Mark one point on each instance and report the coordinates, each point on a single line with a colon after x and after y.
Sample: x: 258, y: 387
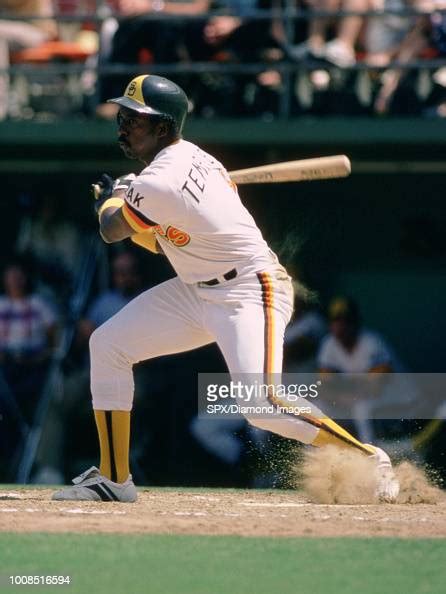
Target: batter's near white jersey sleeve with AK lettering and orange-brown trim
x: 150, y: 201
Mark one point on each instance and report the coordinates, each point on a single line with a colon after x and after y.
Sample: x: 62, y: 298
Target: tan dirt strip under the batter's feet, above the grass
x: 218, y: 512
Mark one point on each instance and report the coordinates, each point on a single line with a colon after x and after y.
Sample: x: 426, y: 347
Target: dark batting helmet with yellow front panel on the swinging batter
x: 155, y: 95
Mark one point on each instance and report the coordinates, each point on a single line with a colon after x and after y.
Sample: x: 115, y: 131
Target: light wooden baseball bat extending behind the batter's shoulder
x: 288, y: 171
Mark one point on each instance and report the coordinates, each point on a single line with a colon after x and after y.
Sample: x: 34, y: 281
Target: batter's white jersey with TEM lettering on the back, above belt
x: 200, y: 222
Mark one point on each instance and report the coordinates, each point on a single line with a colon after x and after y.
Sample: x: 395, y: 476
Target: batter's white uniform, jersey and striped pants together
x: 203, y: 228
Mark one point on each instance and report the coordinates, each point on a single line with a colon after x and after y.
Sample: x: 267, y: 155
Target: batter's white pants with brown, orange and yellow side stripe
x: 245, y: 316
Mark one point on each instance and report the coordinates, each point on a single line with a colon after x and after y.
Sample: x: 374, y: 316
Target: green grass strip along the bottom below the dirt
x: 153, y: 564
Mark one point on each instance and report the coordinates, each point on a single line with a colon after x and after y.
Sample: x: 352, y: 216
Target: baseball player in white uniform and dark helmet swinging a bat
x: 230, y: 287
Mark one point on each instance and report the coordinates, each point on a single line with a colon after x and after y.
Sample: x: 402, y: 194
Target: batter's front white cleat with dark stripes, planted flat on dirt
x: 92, y: 486
